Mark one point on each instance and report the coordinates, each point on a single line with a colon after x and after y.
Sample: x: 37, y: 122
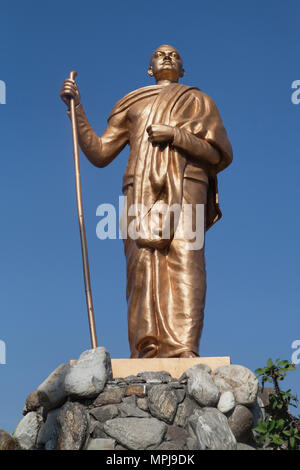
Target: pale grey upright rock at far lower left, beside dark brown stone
x: 27, y: 430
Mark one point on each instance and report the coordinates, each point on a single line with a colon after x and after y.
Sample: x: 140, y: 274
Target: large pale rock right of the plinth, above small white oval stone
x: 239, y: 380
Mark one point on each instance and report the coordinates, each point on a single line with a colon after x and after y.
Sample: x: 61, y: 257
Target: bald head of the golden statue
x: 166, y: 64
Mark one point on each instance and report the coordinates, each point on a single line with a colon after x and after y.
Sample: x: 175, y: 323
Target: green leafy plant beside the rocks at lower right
x: 279, y: 429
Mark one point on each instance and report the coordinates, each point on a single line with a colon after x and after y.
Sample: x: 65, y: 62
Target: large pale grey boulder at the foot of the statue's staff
x: 87, y: 378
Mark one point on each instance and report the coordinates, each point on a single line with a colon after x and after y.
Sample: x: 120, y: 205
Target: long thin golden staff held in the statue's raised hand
x: 85, y: 260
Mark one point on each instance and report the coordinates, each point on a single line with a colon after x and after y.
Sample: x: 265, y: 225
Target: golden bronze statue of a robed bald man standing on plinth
x: 178, y: 145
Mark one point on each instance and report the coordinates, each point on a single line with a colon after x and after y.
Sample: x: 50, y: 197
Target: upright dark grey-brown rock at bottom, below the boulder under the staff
x: 73, y: 426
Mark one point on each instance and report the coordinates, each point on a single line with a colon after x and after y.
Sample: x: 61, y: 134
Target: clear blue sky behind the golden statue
x: 243, y: 54
